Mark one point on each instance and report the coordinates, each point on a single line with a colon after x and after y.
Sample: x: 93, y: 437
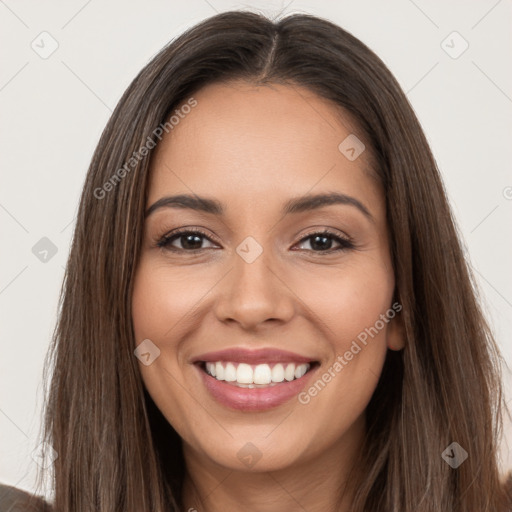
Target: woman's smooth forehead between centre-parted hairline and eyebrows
x: 243, y: 142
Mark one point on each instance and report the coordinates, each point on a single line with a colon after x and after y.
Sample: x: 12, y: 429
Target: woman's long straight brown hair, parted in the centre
x: 115, y: 449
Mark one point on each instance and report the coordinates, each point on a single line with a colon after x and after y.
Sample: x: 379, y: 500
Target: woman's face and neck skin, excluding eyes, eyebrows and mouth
x: 253, y: 148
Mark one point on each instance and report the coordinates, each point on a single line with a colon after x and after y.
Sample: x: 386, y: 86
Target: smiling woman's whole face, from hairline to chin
x: 262, y: 281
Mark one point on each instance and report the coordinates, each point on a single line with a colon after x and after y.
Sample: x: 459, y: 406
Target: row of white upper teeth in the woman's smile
x: 260, y: 374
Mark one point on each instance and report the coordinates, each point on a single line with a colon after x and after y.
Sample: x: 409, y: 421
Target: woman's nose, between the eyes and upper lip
x: 253, y: 293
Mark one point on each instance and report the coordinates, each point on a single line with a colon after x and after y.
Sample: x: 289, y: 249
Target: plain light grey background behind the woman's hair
x: 54, y: 109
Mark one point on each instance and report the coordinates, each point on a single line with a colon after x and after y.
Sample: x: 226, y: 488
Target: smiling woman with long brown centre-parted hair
x: 266, y: 304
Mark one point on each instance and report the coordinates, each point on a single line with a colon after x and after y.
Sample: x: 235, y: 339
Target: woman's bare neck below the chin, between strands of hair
x: 319, y: 483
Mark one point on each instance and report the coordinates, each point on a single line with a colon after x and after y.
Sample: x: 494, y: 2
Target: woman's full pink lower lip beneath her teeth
x: 255, y: 399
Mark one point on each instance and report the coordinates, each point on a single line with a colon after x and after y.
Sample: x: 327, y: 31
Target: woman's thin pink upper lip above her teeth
x: 259, y: 356
